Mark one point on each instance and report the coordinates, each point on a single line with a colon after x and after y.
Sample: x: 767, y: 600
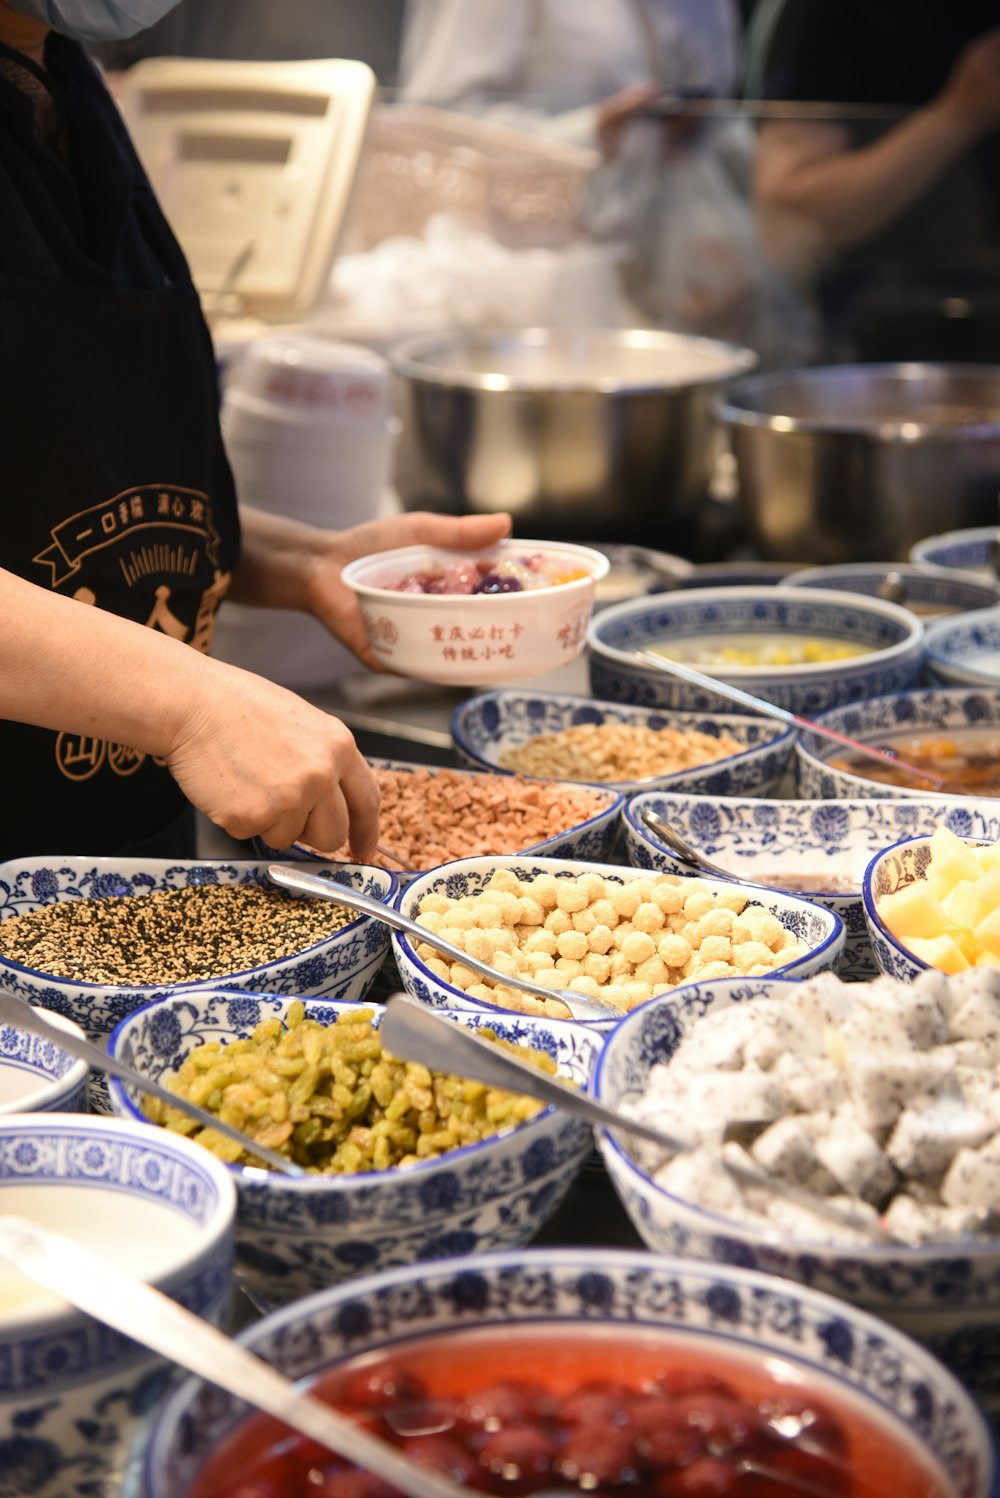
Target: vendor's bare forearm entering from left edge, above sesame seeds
x: 70, y: 666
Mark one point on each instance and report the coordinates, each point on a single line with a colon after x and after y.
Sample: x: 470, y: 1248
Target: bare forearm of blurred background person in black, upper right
x: 854, y: 194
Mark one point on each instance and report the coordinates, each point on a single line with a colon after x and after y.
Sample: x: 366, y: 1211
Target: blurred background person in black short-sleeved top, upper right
x: 897, y: 219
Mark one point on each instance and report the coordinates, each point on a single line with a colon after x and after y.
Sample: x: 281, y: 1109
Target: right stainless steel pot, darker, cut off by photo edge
x: 857, y: 462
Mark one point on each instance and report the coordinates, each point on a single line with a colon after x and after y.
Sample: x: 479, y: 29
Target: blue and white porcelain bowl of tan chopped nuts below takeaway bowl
x: 487, y: 726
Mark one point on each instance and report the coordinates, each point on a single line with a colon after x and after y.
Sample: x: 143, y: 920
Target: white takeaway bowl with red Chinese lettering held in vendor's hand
x: 480, y: 639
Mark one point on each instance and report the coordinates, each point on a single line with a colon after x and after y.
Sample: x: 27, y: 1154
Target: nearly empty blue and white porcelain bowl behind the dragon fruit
x: 755, y: 838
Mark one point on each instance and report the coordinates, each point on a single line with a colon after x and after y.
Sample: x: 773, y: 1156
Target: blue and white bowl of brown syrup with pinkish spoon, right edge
x: 909, y: 714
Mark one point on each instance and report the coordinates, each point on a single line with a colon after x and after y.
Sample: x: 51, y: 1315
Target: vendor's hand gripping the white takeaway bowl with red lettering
x: 336, y: 606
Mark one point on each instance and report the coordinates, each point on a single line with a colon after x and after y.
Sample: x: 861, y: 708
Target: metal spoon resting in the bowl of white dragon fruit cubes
x: 417, y: 1033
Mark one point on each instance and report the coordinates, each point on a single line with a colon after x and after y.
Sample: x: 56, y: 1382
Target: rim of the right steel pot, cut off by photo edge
x: 740, y: 405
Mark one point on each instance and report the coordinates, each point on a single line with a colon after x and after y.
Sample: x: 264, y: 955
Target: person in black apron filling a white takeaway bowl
x: 119, y: 501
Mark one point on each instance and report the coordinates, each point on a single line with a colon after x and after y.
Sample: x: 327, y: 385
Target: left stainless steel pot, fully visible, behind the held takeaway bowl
x: 586, y: 435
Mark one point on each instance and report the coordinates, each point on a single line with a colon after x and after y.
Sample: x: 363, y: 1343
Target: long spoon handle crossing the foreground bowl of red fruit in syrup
x: 103, y: 1291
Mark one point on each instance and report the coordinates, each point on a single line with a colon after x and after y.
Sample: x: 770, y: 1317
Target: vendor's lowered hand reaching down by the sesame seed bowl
x: 261, y: 762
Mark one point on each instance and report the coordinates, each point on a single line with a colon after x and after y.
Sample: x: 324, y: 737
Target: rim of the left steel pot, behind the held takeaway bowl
x: 414, y: 360
